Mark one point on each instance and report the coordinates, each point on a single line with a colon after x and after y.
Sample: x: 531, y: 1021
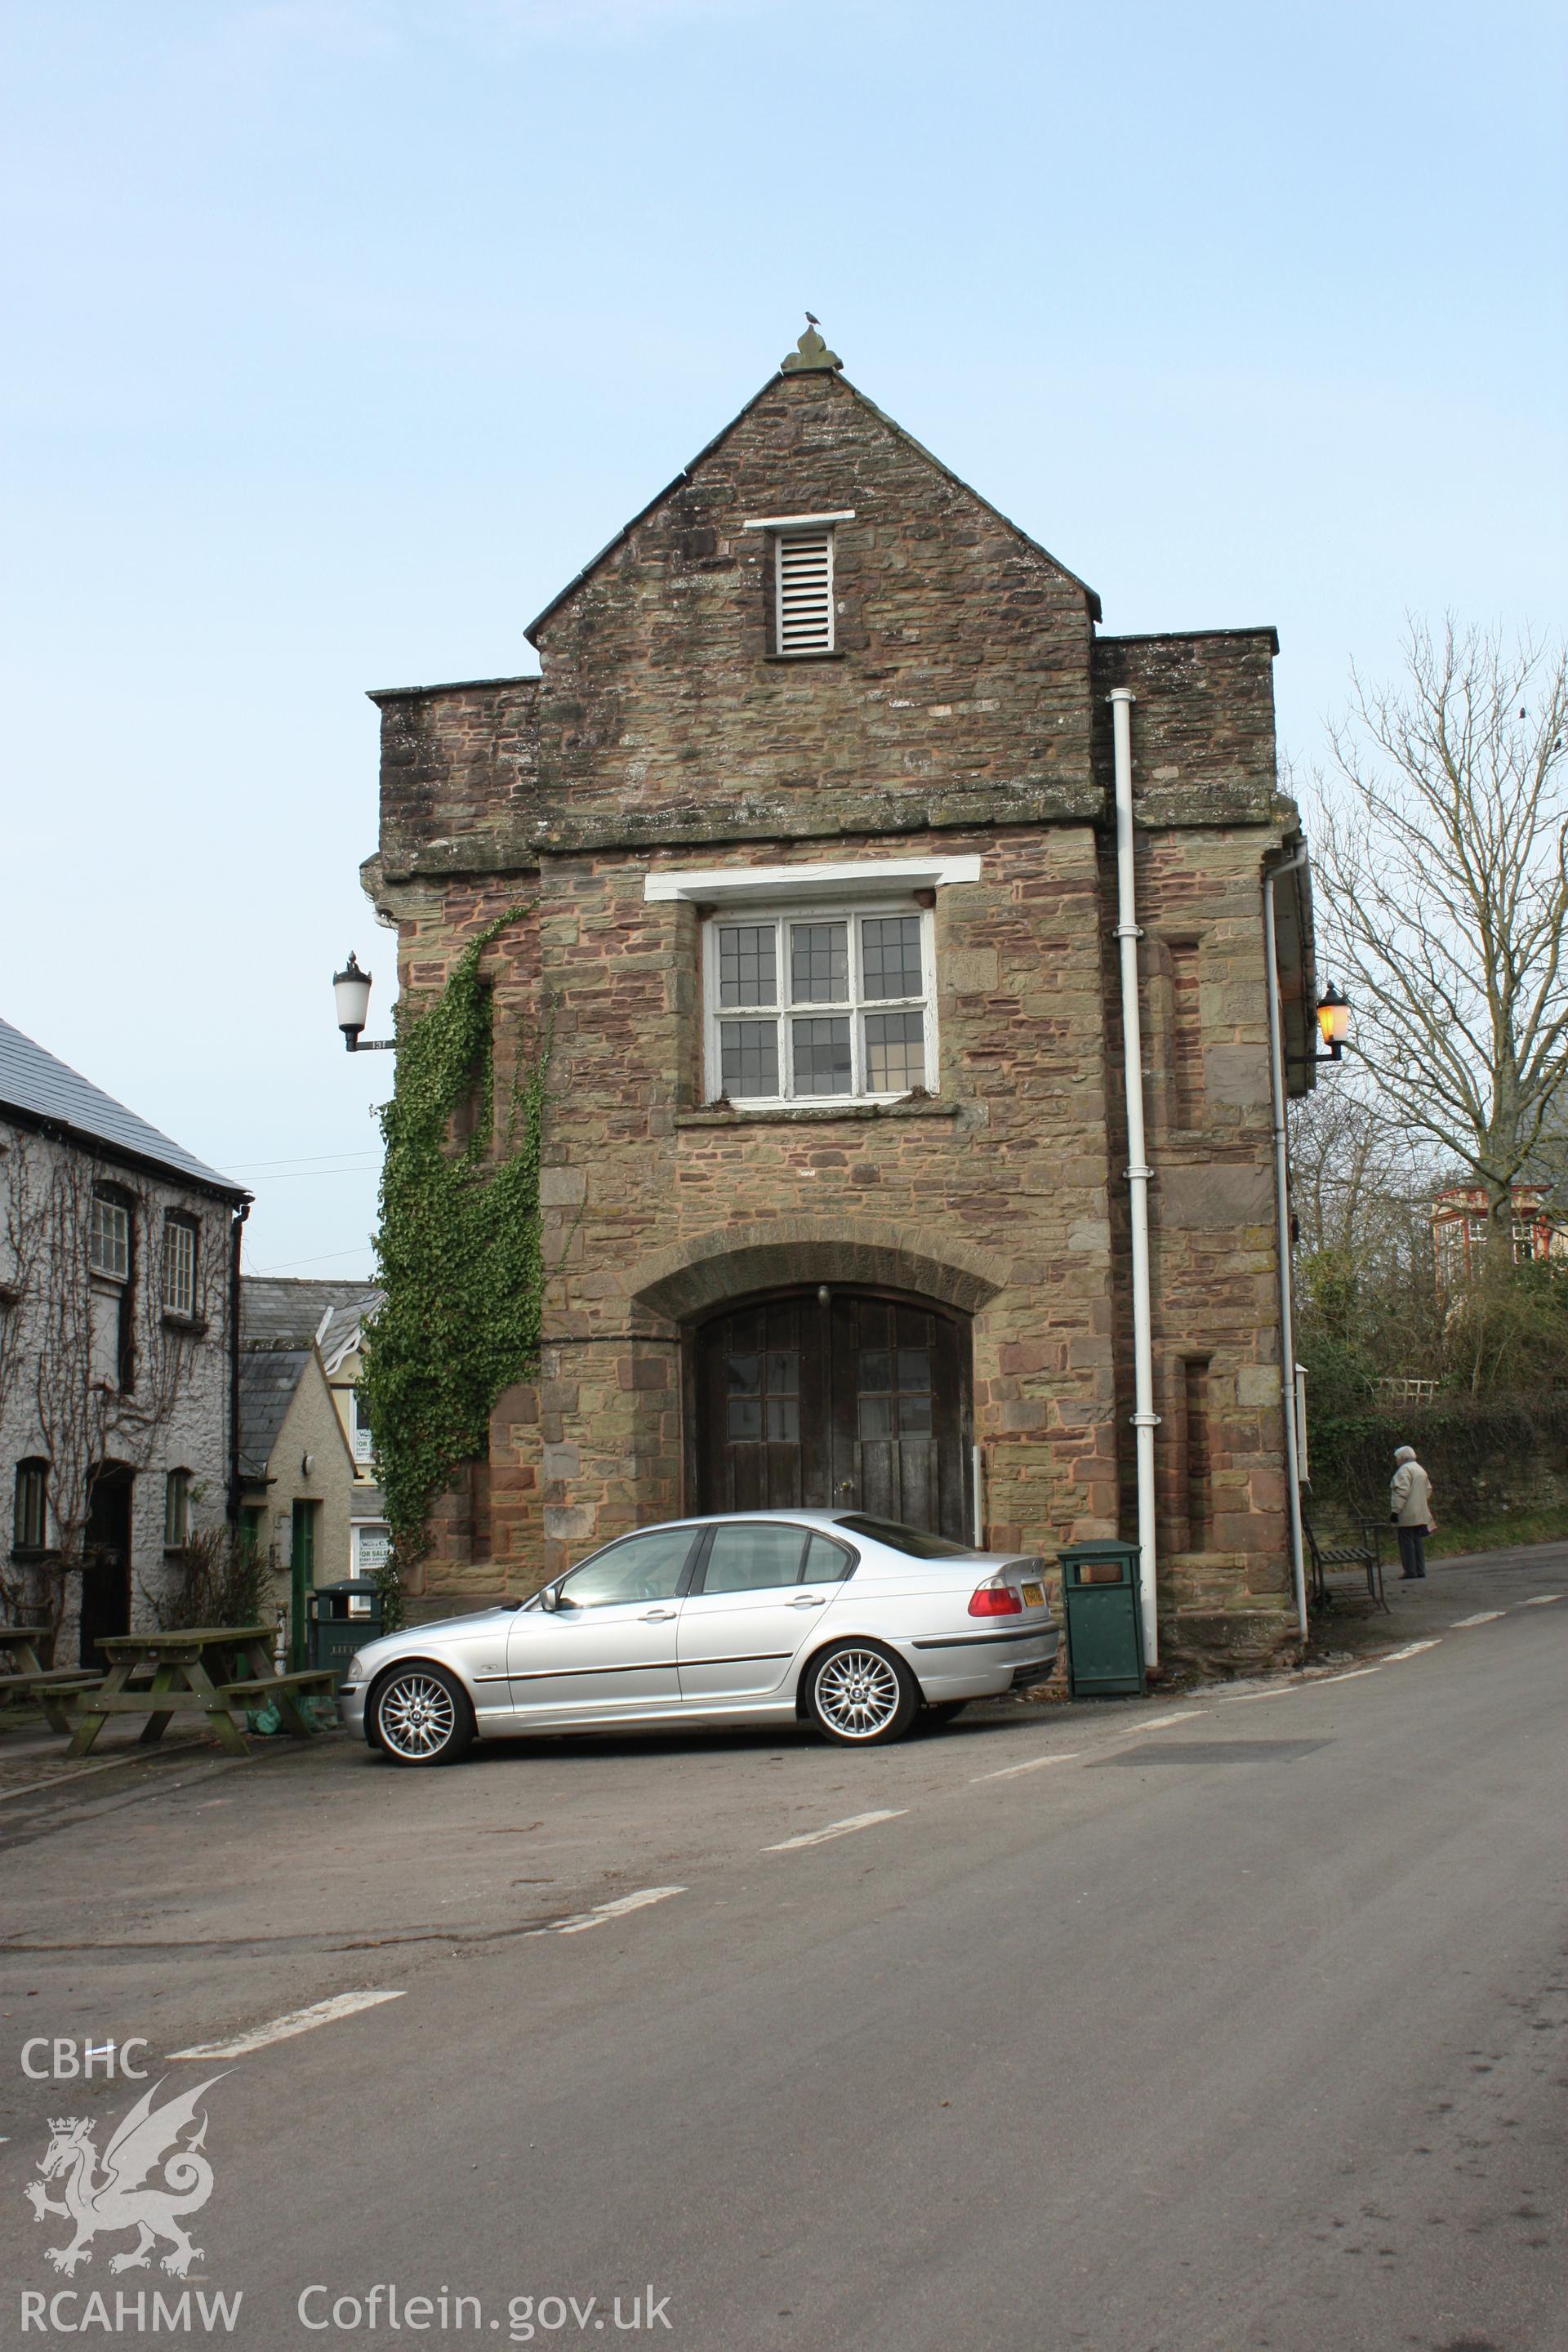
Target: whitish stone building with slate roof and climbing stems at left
x: 119, y: 1351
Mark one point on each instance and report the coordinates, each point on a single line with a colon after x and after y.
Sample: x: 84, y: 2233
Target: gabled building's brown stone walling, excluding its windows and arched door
x: 963, y: 709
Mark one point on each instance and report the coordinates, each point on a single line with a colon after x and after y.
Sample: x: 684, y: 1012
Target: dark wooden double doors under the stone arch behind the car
x: 852, y: 1403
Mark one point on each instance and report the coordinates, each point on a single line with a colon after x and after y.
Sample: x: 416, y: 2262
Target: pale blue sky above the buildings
x: 340, y: 333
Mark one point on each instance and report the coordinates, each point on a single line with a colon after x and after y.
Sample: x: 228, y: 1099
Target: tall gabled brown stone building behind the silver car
x: 808, y: 822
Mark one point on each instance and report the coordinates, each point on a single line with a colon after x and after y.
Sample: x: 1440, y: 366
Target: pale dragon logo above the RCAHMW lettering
x: 126, y: 2193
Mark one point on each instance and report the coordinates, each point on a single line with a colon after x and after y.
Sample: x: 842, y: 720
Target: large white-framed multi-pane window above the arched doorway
x: 822, y: 1003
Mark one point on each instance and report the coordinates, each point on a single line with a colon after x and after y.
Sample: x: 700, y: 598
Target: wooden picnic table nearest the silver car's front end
x: 201, y: 1671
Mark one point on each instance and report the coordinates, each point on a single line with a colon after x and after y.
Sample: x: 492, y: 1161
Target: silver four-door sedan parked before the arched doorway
x: 826, y: 1617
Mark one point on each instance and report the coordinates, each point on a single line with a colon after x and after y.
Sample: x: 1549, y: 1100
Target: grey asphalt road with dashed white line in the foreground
x: 1111, y: 2033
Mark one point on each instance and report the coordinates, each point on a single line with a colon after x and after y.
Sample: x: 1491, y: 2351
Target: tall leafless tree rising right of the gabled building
x: 1445, y: 895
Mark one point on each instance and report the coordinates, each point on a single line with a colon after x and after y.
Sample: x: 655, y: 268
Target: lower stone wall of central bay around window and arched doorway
x: 1005, y: 1168
